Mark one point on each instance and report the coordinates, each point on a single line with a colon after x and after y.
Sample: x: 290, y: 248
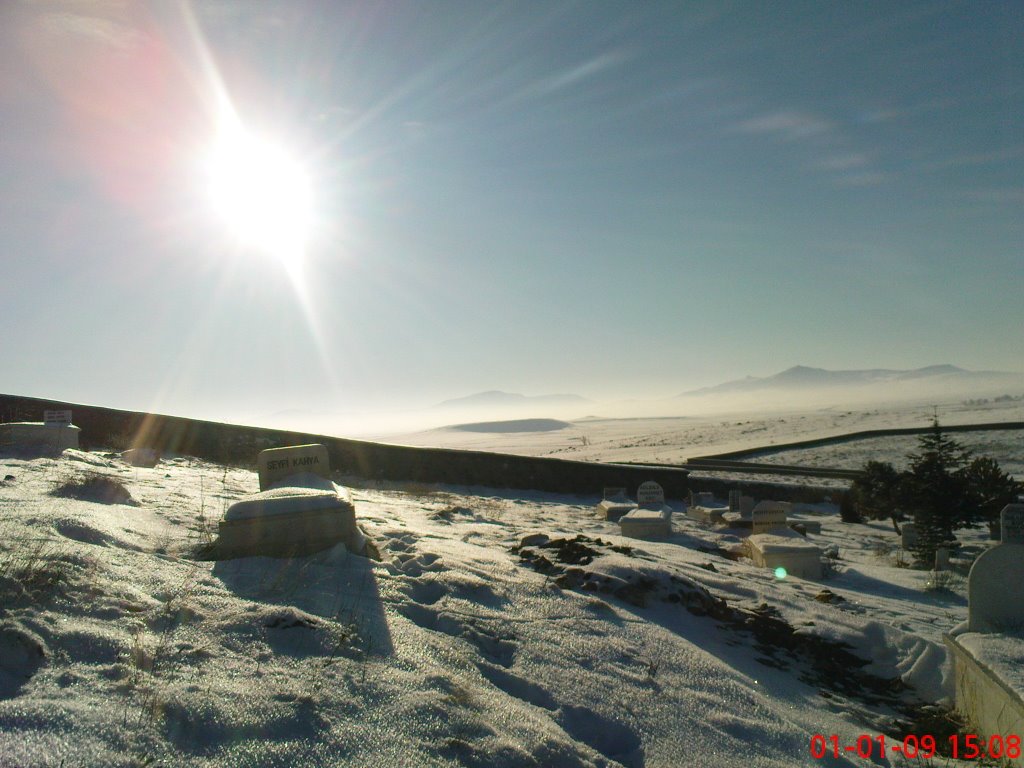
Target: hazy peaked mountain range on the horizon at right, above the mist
x: 802, y: 377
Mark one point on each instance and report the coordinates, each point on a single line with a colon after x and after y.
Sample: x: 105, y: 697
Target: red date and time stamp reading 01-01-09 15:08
x: 959, y: 747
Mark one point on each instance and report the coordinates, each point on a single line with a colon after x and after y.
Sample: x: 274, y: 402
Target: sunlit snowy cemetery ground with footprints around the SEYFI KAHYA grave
x: 479, y: 639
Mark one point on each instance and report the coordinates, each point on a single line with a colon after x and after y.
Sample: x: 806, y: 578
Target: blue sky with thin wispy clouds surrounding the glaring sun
x: 608, y: 199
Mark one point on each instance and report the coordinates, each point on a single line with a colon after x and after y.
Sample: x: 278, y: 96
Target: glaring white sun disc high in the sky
x: 262, y: 193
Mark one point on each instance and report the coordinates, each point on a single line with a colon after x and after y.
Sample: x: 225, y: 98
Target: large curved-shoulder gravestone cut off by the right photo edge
x: 996, y: 585
